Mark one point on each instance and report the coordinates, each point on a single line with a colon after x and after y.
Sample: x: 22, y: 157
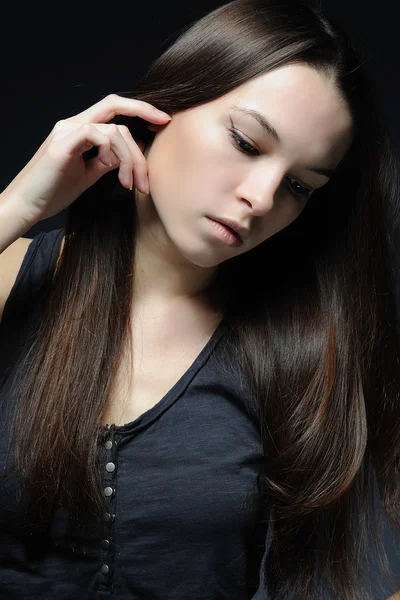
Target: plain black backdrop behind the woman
x: 58, y: 60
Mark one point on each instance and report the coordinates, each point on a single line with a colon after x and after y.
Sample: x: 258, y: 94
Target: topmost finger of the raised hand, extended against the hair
x: 112, y: 105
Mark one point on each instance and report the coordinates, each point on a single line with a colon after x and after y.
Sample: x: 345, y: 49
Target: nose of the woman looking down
x: 260, y: 191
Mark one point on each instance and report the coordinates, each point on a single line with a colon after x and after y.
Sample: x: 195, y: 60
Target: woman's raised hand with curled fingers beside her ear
x: 58, y: 174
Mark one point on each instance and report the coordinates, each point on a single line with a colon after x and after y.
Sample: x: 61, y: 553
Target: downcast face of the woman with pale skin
x: 217, y: 161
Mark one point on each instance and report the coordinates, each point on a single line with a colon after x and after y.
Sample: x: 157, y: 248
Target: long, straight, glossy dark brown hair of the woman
x: 313, y: 321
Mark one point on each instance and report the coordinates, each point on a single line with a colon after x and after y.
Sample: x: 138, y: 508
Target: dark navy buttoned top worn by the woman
x: 183, y: 519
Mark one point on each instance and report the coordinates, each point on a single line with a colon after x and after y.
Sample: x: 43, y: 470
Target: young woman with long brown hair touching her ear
x: 206, y: 410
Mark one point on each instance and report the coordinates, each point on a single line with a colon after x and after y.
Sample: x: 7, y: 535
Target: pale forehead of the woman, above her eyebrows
x: 303, y: 105
